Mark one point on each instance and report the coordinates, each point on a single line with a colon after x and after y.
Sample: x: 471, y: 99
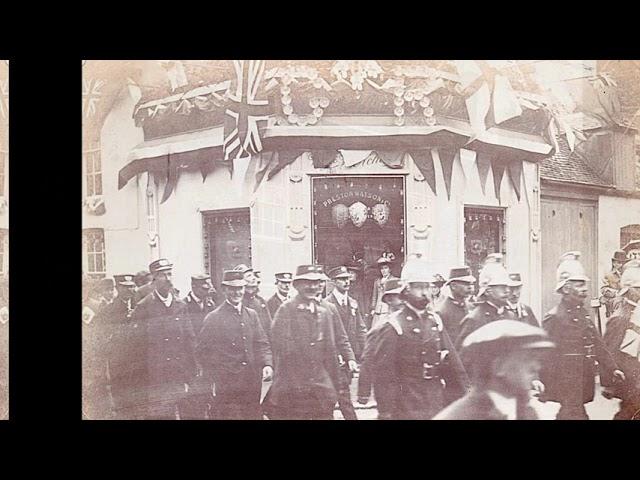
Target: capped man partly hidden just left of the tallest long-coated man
x: 123, y: 339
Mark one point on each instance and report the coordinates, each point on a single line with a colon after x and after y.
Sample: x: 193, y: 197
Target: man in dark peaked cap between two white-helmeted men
x: 455, y: 306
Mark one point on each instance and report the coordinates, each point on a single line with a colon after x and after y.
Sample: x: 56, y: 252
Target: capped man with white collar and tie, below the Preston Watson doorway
x: 353, y: 324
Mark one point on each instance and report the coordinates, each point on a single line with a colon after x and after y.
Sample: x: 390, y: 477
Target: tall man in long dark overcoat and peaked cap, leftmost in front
x: 166, y: 365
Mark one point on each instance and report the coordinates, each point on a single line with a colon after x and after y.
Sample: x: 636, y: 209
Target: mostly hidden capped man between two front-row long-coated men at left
x: 199, y: 302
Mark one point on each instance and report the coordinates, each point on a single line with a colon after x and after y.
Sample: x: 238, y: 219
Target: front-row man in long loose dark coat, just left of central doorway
x: 306, y: 378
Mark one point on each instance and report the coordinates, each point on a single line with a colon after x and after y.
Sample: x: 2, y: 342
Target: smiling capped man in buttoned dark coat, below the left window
x: 235, y: 354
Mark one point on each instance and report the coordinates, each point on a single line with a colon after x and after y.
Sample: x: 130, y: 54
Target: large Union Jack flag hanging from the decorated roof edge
x: 244, y: 111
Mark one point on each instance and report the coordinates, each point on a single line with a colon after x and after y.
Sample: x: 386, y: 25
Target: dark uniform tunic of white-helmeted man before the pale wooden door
x: 569, y: 372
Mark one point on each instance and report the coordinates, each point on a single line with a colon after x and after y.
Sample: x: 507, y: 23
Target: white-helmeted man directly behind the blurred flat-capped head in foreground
x: 492, y: 301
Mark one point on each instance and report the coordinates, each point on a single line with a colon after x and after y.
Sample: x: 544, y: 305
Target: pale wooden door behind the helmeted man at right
x: 567, y: 225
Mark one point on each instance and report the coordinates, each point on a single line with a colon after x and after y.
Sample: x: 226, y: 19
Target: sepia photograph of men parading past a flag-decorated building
x: 356, y: 240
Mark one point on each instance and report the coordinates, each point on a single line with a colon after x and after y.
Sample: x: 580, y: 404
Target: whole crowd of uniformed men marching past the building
x: 429, y: 347
